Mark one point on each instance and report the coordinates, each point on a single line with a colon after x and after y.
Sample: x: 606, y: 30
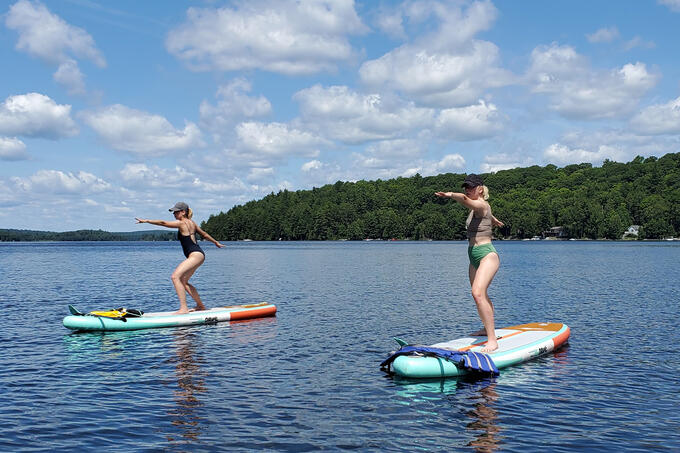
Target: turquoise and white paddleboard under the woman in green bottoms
x: 516, y: 344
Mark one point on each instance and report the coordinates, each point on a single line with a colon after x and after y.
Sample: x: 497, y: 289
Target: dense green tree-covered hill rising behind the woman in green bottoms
x: 586, y: 201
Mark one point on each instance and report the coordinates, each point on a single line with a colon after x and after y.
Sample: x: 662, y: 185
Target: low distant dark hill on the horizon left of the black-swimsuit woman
x: 8, y: 235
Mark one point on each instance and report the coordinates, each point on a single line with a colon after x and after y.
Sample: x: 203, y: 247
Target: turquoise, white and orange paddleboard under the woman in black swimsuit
x: 89, y: 322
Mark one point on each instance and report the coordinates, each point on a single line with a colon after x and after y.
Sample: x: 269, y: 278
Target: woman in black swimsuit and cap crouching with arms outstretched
x: 186, y: 230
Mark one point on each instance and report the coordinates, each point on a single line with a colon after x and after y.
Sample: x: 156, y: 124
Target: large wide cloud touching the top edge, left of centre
x: 292, y: 37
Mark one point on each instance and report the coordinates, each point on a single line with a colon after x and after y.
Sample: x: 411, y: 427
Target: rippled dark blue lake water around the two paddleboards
x: 309, y: 379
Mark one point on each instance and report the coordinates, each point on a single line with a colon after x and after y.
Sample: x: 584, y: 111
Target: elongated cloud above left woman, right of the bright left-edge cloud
x: 140, y: 132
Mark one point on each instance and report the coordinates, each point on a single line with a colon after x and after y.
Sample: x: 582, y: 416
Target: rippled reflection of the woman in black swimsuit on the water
x: 190, y: 382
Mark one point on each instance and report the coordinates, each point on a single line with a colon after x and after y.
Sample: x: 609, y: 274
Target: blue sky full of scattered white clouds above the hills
x: 116, y: 110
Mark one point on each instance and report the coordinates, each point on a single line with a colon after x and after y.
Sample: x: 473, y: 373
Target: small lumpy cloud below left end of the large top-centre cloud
x: 233, y: 104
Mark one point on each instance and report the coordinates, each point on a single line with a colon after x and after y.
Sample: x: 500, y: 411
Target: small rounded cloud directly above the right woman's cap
x: 469, y: 123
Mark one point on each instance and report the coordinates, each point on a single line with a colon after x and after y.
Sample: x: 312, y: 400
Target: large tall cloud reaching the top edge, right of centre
x: 447, y: 67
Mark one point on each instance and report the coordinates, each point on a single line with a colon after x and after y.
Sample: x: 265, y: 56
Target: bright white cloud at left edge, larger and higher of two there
x: 36, y: 115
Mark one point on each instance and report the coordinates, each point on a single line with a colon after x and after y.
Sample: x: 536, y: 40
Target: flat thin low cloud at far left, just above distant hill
x: 56, y: 182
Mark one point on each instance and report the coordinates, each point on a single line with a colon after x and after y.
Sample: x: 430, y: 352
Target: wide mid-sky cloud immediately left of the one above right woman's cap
x: 350, y: 117
